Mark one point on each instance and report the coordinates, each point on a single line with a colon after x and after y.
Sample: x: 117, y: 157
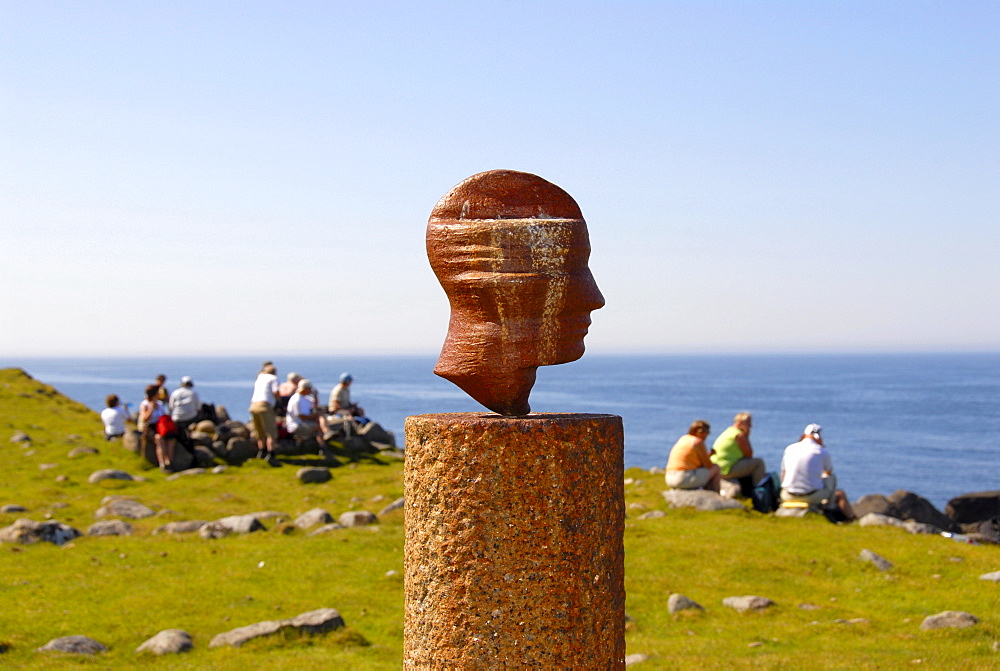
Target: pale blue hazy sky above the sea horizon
x: 245, y: 178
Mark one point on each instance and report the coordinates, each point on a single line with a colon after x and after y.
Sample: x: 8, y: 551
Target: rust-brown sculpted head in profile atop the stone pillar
x: 510, y: 250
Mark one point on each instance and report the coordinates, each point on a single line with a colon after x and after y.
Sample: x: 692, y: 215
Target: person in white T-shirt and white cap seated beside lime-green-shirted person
x: 807, y: 475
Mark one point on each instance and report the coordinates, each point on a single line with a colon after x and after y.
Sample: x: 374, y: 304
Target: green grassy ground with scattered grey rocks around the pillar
x: 832, y: 610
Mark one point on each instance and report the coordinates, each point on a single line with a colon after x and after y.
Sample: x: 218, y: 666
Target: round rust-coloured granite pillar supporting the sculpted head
x: 514, y: 555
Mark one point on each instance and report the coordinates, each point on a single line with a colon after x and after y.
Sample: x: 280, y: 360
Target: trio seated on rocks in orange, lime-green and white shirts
x: 806, y: 469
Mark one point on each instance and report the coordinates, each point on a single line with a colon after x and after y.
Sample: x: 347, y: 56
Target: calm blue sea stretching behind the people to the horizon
x: 925, y: 423
